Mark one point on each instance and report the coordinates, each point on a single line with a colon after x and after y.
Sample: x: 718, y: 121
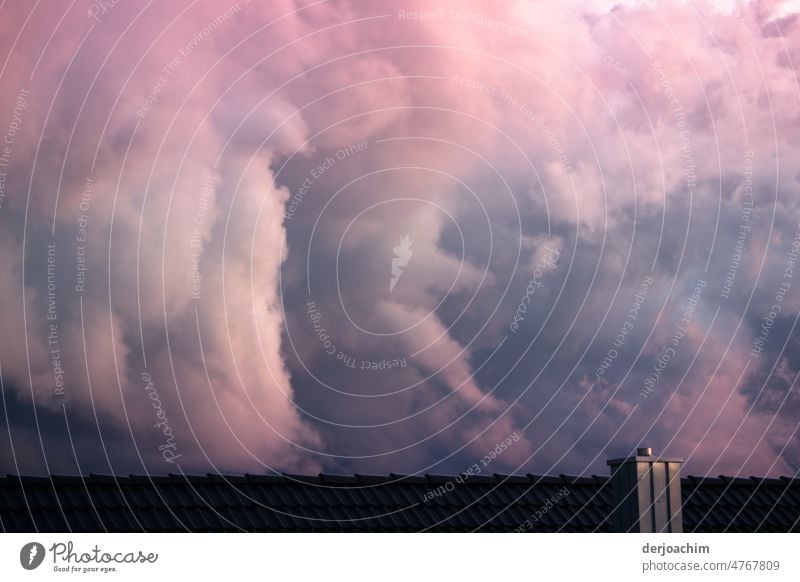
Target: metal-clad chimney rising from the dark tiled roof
x: 646, y: 493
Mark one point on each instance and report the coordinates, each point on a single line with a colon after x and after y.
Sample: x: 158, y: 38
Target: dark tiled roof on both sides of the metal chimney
x: 364, y: 503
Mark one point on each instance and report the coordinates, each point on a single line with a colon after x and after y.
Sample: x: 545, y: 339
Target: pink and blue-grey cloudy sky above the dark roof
x: 399, y: 237
